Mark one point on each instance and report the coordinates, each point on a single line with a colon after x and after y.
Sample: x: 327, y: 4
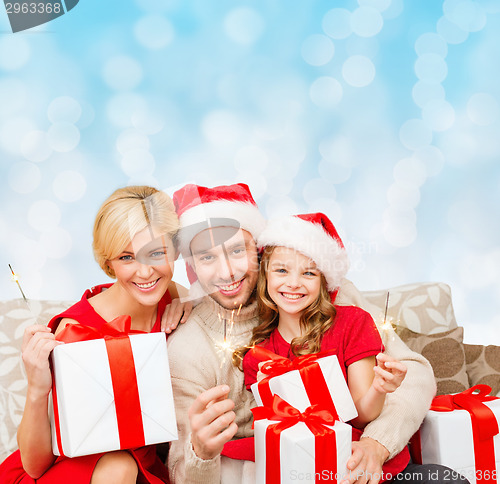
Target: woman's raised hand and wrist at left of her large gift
x: 38, y: 342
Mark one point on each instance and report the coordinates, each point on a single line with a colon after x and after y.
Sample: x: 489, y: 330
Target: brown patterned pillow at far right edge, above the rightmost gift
x: 483, y: 366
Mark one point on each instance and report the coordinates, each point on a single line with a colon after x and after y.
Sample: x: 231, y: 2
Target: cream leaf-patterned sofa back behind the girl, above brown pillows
x: 424, y: 307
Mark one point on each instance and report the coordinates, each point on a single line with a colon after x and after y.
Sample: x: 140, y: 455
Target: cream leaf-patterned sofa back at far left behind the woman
x: 14, y: 318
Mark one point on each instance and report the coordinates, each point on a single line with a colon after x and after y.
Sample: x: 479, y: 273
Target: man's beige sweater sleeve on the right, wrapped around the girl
x: 404, y: 409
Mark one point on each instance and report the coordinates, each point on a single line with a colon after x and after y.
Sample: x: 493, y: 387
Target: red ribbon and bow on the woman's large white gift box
x: 123, y: 377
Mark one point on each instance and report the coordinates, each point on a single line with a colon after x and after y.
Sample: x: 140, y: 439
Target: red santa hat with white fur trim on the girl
x: 315, y: 236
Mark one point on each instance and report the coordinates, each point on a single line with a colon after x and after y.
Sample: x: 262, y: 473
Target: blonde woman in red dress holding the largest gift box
x: 133, y: 235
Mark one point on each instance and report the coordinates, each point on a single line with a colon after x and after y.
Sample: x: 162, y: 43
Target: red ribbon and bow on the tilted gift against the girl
x: 309, y: 370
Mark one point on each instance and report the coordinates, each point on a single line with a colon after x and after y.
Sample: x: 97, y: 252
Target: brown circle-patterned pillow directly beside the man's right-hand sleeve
x: 446, y: 355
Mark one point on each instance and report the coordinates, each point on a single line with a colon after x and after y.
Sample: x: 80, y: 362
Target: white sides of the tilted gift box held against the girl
x: 290, y: 387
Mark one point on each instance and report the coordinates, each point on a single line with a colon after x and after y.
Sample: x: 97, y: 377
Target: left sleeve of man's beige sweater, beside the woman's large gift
x: 188, y: 381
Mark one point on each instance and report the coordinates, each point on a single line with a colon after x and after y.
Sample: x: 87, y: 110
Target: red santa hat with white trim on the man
x: 200, y: 208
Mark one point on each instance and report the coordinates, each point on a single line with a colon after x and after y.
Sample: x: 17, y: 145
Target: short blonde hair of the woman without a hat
x: 125, y: 213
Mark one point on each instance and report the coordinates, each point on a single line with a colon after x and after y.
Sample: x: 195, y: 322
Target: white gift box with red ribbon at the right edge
x: 461, y: 431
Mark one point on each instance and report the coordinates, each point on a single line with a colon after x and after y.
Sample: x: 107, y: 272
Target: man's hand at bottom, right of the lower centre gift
x: 365, y: 463
